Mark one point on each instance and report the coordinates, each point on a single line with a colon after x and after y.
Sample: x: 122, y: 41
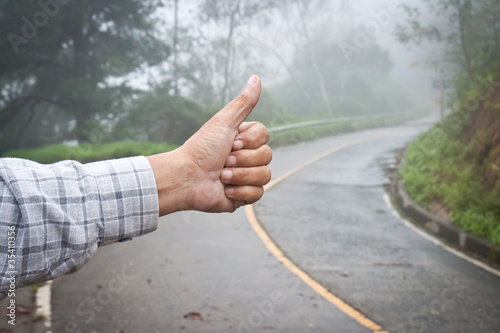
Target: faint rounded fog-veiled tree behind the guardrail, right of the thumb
x: 349, y: 90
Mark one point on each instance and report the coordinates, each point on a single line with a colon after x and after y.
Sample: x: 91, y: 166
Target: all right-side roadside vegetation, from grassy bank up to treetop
x: 456, y: 165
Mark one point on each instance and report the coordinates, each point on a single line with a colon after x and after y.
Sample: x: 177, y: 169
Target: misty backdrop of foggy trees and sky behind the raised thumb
x: 155, y: 71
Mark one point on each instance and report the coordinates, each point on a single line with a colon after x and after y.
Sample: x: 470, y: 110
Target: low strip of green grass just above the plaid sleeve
x: 89, y: 153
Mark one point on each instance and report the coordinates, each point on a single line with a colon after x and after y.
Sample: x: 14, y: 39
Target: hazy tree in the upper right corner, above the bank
x: 470, y: 35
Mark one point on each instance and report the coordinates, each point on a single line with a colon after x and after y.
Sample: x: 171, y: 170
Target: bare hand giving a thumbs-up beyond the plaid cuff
x: 222, y: 166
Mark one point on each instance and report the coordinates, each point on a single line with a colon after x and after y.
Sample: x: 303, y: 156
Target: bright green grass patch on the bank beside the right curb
x: 438, y: 168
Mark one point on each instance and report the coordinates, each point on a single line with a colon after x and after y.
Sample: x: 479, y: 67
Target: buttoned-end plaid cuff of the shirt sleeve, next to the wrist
x: 128, y: 196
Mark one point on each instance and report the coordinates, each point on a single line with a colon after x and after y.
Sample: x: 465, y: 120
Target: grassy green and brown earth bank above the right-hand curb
x: 456, y: 169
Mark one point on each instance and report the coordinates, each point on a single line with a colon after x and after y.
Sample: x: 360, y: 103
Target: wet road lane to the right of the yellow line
x: 331, y: 219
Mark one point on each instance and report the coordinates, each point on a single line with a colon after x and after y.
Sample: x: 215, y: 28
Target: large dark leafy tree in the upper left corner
x: 66, y: 61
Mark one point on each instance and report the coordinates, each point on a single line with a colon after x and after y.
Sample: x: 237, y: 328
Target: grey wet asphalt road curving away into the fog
x: 211, y: 273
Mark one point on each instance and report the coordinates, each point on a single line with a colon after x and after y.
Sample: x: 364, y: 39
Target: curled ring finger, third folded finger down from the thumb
x: 256, y: 176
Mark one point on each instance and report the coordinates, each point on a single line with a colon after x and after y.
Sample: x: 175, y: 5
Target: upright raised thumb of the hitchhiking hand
x: 234, y: 113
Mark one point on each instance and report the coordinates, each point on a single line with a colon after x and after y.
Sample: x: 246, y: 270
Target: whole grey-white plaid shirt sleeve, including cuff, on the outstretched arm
x: 59, y: 214
